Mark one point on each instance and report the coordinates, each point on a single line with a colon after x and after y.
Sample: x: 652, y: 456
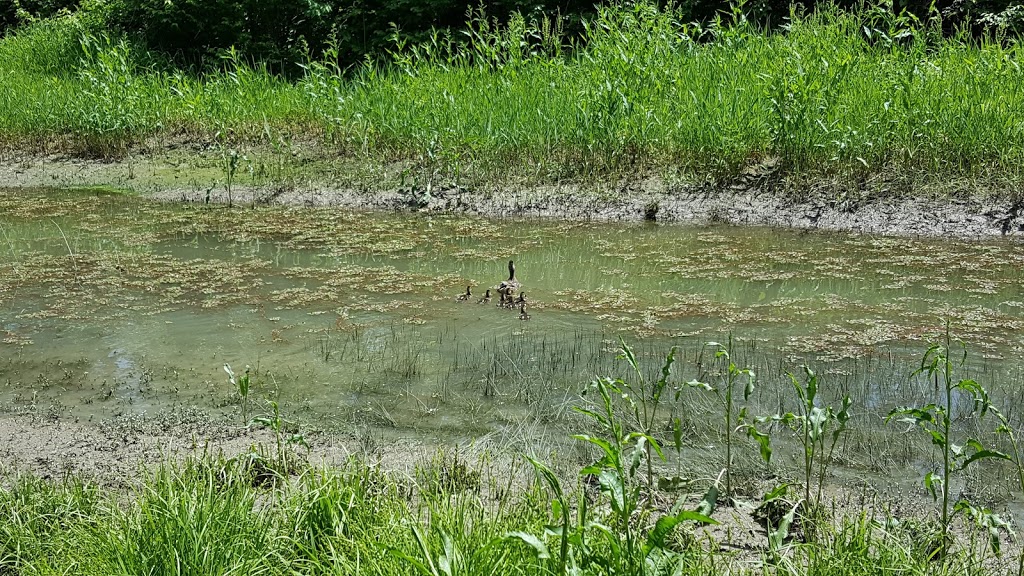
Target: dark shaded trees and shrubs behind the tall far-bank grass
x: 284, y: 34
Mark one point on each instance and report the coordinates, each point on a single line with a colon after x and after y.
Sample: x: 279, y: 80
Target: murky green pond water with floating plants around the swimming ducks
x: 111, y: 305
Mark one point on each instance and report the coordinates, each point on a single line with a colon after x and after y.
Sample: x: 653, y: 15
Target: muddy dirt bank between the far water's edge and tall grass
x: 759, y: 197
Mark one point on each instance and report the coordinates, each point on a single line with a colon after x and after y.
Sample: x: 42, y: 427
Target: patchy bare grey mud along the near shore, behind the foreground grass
x: 116, y: 456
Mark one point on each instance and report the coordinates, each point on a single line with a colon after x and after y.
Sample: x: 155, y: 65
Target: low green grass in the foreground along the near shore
x: 207, y: 517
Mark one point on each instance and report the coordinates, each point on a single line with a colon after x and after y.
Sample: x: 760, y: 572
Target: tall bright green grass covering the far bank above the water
x: 855, y: 97
